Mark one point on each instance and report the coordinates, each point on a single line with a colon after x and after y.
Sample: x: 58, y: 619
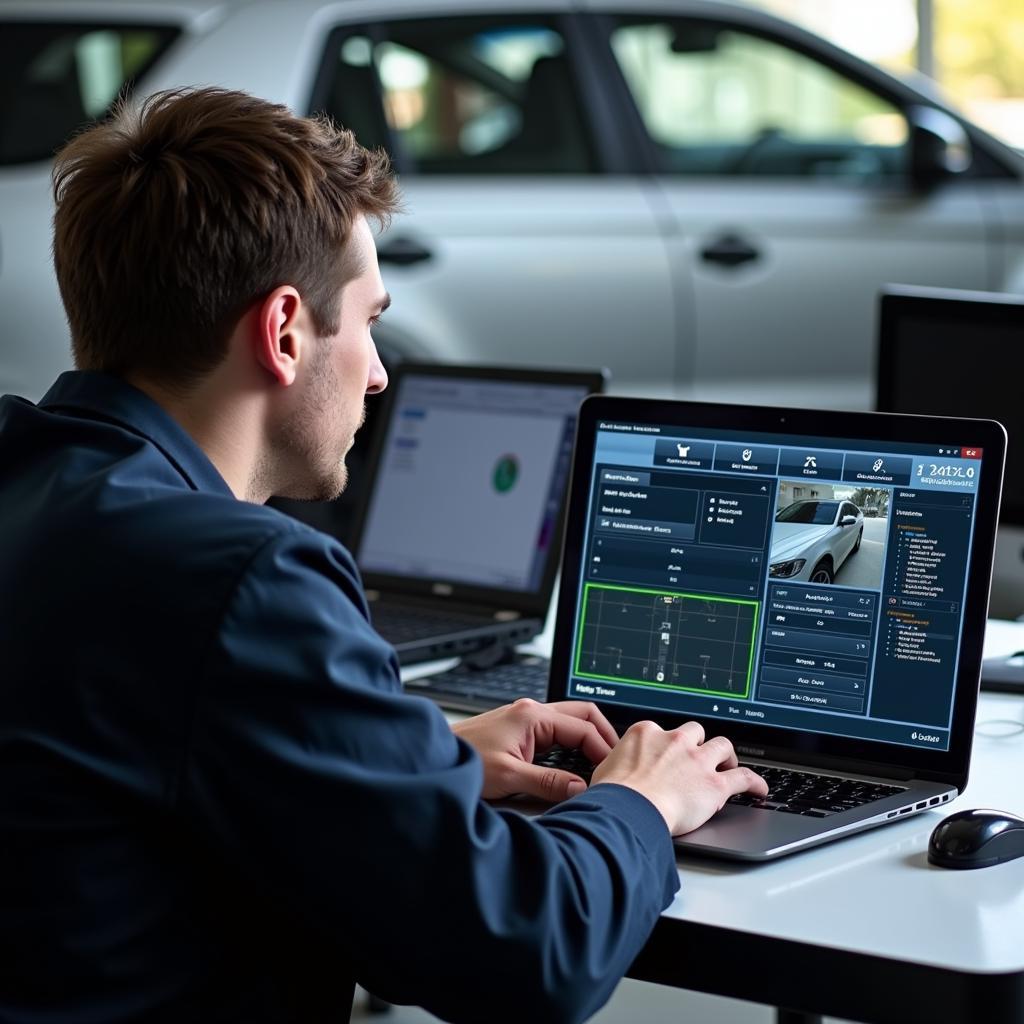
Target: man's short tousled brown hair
x: 174, y: 219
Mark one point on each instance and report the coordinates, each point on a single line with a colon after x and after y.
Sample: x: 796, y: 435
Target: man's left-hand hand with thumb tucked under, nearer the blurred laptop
x: 508, y: 738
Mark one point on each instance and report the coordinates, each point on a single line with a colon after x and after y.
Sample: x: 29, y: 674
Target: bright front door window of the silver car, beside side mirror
x: 720, y: 102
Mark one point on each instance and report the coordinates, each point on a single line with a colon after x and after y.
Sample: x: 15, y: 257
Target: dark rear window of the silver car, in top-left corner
x: 56, y: 77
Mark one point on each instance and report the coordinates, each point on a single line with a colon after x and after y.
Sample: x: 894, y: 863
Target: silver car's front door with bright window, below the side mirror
x: 789, y: 184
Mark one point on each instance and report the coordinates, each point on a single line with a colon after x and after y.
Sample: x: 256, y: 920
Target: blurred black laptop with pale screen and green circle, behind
x: 459, y: 536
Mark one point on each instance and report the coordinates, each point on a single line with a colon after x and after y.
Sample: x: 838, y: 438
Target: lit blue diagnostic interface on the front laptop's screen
x: 759, y: 579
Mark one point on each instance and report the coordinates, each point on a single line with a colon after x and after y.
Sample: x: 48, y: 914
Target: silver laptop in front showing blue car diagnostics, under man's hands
x: 813, y: 585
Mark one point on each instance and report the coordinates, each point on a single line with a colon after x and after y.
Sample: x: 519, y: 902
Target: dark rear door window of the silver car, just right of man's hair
x: 462, y: 97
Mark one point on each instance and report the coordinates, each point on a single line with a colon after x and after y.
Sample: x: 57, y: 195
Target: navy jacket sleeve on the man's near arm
x: 356, y: 807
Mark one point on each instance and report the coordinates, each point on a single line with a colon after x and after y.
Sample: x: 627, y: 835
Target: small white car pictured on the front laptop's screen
x: 813, y: 538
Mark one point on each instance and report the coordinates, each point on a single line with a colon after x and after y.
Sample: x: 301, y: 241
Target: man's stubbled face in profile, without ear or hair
x: 343, y: 368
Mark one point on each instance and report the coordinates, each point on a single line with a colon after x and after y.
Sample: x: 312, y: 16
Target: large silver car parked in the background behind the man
x: 695, y: 195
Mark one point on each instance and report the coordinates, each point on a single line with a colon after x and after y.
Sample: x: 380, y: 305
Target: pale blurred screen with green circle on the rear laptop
x: 472, y: 479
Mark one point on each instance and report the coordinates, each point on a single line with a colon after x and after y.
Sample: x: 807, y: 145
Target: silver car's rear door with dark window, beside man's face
x: 523, y: 239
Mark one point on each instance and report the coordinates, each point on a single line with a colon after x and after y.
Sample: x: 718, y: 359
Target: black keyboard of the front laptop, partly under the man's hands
x: 789, y: 791
